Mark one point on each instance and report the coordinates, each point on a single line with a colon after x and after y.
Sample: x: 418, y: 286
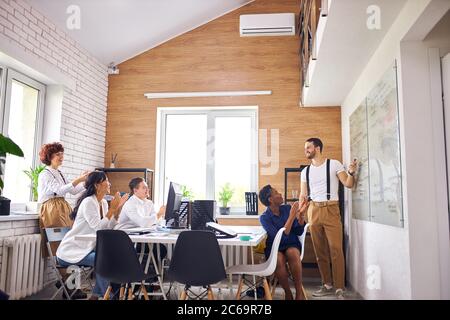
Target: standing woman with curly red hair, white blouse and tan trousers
x: 53, y: 187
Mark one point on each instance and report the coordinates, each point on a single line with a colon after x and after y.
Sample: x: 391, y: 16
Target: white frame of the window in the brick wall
x: 6, y: 78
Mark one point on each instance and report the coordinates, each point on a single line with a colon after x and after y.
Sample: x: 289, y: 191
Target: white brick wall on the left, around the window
x: 79, y: 89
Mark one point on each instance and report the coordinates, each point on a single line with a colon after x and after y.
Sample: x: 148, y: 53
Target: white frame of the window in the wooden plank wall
x: 211, y: 113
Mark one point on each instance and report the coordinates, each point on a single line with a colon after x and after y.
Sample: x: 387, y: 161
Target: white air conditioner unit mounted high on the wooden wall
x: 272, y: 24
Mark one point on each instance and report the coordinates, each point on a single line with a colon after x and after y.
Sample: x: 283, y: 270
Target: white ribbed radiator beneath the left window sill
x: 22, y: 269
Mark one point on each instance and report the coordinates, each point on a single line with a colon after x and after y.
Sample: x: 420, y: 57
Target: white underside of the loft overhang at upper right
x: 346, y: 47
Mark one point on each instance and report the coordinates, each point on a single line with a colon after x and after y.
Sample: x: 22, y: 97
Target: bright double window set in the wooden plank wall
x: 206, y: 148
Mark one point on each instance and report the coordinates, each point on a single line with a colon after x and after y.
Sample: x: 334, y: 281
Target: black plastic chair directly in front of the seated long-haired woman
x: 116, y: 260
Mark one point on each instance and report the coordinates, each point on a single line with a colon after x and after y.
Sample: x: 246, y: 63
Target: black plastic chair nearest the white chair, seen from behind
x: 197, y: 261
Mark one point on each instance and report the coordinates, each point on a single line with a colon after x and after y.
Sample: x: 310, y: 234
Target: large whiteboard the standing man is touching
x: 375, y: 141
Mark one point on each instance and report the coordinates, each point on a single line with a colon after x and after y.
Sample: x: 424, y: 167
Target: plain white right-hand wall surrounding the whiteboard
x: 408, y: 258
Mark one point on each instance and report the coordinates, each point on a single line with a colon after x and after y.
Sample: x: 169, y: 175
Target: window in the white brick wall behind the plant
x: 21, y: 120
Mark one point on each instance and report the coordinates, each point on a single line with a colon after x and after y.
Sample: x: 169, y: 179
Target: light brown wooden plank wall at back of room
x: 214, y: 57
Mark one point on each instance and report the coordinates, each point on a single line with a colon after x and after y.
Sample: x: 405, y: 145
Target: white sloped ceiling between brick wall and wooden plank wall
x: 117, y: 30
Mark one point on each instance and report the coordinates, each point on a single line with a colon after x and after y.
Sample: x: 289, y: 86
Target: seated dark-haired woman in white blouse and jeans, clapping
x: 90, y: 214
